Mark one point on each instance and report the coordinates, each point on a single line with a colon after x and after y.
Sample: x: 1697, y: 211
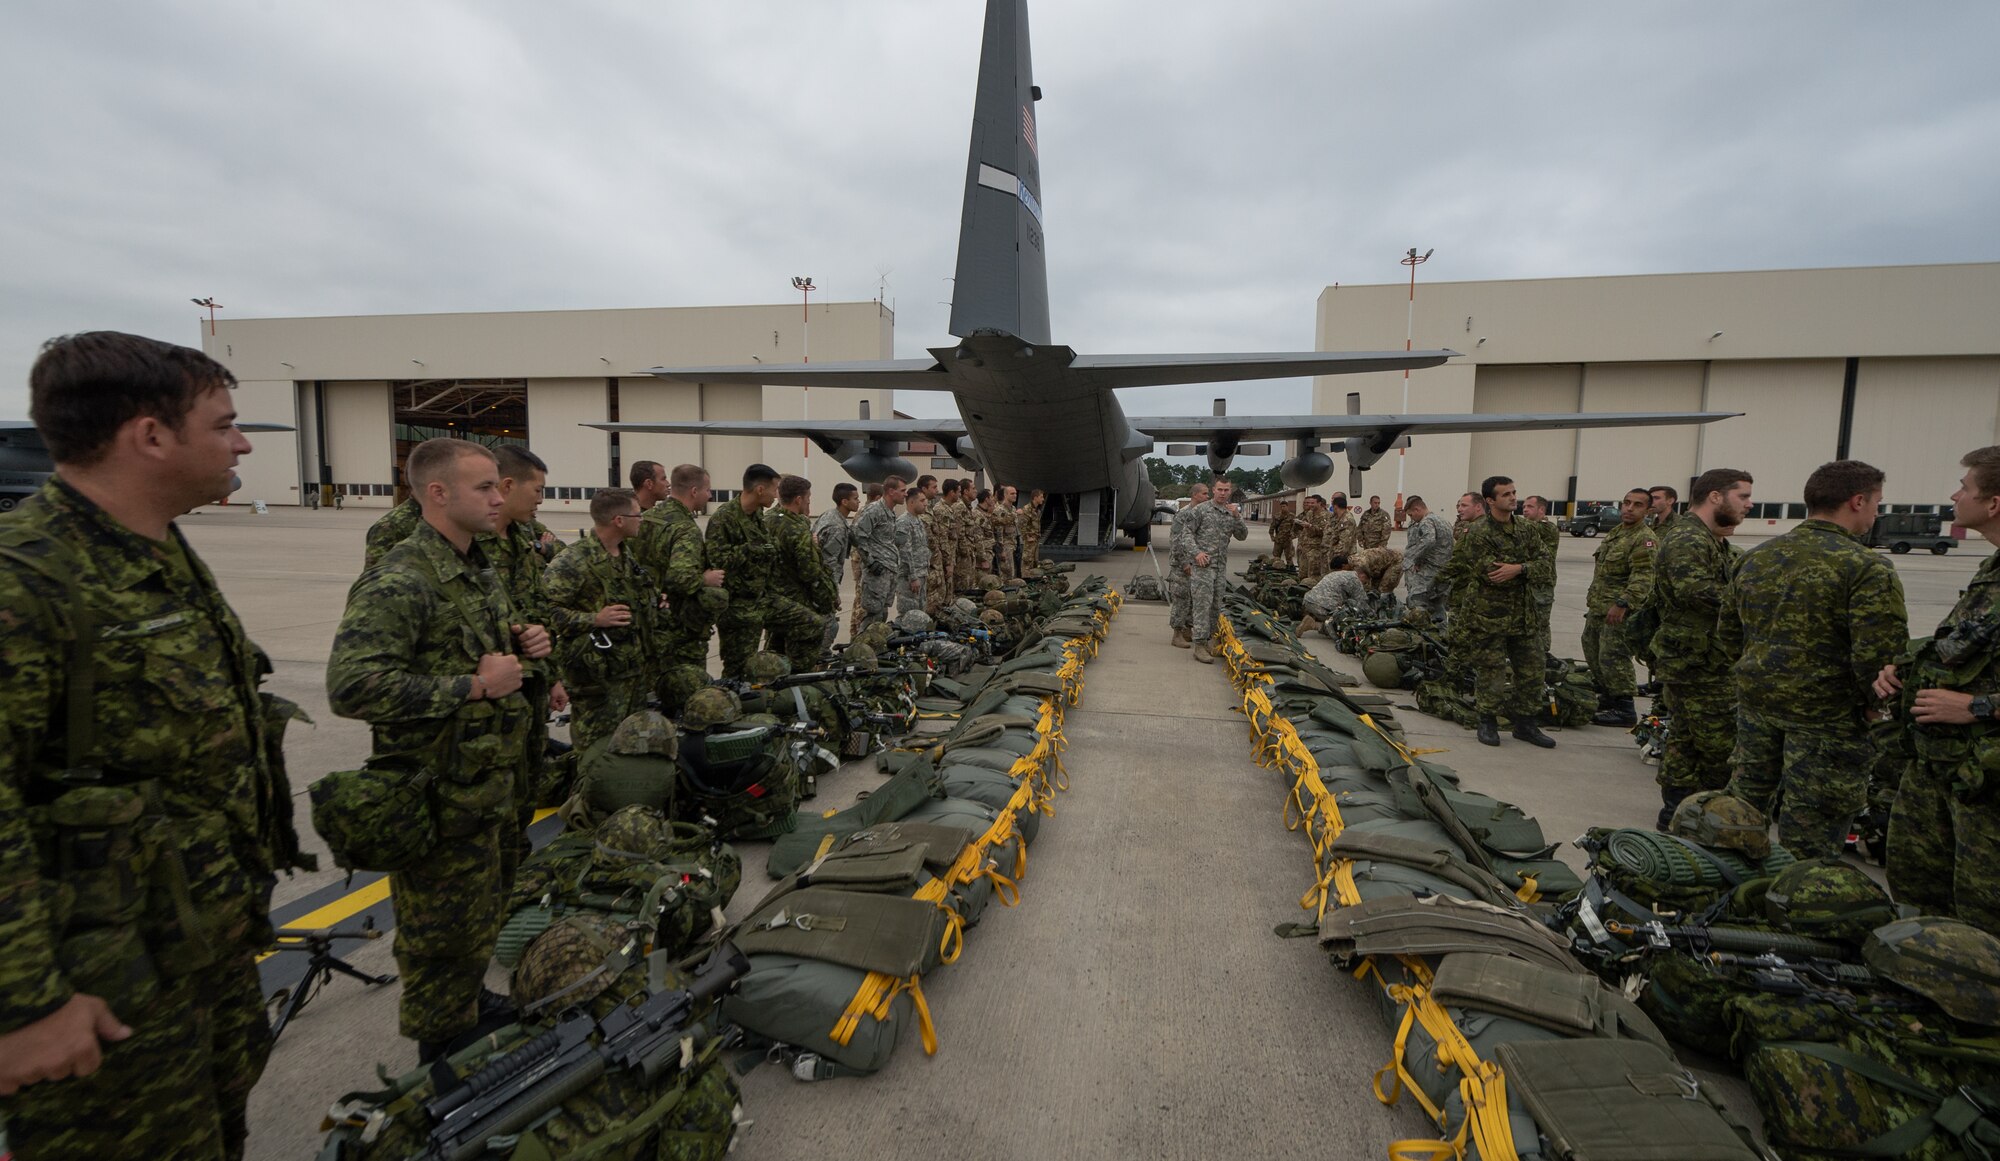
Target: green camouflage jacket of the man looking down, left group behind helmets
x: 583, y: 582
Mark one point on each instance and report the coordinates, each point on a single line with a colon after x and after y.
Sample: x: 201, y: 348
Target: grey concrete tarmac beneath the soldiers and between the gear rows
x: 1137, y: 1002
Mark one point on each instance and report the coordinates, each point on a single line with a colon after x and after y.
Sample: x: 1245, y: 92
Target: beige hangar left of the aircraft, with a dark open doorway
x: 363, y: 391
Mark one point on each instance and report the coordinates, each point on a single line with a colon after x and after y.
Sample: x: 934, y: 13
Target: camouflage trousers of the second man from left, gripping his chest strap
x: 449, y: 912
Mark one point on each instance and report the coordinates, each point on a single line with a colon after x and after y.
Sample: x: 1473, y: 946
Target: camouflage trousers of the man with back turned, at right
x: 1811, y: 782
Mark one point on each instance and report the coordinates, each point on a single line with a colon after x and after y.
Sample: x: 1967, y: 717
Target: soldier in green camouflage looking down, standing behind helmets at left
x: 605, y: 612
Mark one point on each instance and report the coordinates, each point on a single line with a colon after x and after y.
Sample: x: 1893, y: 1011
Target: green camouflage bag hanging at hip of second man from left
x: 377, y: 818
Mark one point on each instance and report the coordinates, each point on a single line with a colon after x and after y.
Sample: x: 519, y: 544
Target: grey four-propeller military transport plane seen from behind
x: 1039, y: 415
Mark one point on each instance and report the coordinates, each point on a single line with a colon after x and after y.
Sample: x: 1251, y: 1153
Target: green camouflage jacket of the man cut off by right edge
x: 1963, y: 656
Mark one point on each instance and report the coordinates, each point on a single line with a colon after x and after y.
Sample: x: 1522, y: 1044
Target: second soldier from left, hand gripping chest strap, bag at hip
x: 431, y: 656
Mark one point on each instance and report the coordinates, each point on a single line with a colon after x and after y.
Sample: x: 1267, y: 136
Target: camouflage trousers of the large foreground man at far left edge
x: 177, y: 1090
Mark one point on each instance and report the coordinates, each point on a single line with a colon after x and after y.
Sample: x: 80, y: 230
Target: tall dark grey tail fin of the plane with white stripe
x: 1003, y: 275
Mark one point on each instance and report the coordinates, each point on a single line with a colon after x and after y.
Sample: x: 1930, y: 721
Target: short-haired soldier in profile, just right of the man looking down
x: 673, y: 551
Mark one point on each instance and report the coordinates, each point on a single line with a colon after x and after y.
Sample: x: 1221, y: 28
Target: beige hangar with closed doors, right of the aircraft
x: 1893, y: 365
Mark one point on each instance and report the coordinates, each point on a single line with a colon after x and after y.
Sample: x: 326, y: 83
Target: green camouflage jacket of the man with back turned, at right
x: 1817, y: 616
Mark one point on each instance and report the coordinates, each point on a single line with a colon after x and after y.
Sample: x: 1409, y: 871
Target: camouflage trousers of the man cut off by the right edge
x: 1945, y: 846
